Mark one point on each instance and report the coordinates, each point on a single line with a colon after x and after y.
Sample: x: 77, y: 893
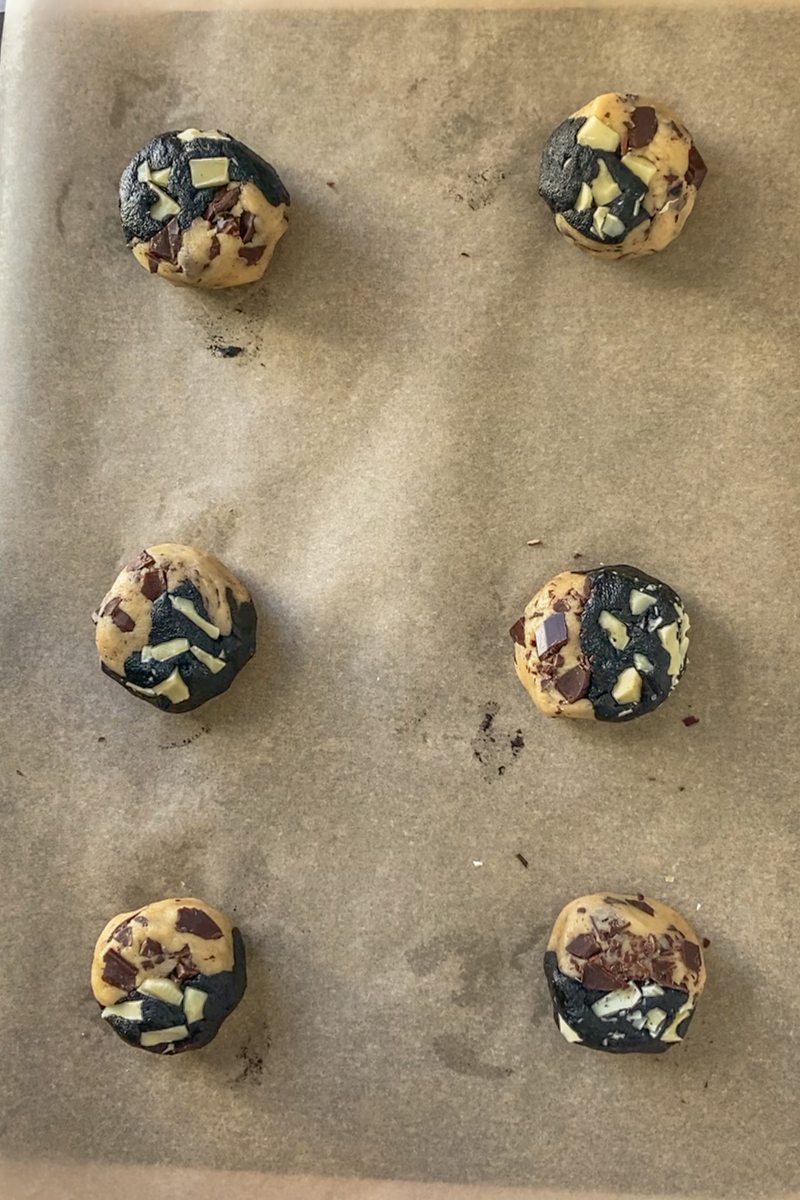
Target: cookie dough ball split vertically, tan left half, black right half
x: 609, y: 644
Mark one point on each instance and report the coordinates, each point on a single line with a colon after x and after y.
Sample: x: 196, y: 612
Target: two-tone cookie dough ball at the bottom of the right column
x: 625, y: 974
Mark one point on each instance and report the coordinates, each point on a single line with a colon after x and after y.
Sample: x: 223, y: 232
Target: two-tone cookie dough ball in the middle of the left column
x: 176, y: 628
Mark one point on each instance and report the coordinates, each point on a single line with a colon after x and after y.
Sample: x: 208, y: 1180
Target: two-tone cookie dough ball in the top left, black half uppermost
x: 200, y: 208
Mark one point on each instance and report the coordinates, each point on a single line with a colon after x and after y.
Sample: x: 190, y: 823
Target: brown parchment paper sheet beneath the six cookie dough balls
x: 430, y: 379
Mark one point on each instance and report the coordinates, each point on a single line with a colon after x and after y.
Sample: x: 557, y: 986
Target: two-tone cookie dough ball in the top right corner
x: 622, y: 176
